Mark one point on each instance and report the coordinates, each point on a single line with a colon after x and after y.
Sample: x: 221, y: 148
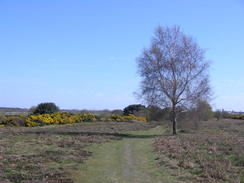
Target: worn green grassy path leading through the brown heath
x: 130, y: 160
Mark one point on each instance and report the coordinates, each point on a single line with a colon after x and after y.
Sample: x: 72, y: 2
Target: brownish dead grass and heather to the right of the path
x: 214, y: 153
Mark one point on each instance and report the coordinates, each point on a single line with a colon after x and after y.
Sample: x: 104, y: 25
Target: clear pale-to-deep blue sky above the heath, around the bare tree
x: 81, y: 54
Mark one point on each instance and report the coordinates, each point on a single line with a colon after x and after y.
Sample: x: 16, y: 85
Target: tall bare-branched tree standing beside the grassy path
x: 174, y: 71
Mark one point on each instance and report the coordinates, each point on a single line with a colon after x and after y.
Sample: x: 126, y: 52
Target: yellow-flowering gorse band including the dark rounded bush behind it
x: 48, y: 113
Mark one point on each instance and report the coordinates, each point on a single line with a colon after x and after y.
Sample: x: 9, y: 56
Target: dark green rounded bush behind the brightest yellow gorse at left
x: 46, y: 108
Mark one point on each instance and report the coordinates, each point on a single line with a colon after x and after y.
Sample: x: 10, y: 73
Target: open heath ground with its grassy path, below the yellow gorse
x: 122, y: 152
